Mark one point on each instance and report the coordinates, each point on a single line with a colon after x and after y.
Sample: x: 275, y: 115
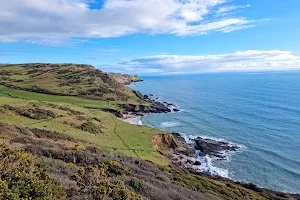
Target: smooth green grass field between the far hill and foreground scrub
x: 117, y: 135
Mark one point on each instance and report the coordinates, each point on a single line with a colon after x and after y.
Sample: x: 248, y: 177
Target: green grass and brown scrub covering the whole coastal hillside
x: 67, y: 147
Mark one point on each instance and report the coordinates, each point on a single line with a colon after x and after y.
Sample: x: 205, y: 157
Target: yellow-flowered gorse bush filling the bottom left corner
x: 21, y: 177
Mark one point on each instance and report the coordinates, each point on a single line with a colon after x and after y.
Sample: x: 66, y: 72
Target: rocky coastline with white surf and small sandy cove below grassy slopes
x: 193, y: 152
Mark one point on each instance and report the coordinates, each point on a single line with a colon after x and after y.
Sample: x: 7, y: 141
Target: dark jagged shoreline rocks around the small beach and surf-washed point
x: 188, y: 153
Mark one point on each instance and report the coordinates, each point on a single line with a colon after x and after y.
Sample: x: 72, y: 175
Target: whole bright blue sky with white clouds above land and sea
x: 153, y: 36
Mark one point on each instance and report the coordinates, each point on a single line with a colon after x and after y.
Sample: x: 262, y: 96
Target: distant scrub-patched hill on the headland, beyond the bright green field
x: 69, y: 79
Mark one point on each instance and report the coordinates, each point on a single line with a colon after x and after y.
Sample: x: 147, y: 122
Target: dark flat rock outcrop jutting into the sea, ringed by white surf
x: 213, y: 147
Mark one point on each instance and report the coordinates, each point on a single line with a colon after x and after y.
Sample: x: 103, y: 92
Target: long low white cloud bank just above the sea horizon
x: 252, y: 60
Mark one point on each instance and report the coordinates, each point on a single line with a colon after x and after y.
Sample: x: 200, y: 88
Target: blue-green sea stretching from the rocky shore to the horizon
x: 258, y: 111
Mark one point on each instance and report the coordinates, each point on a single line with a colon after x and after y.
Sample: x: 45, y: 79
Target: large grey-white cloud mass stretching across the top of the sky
x: 49, y: 22
